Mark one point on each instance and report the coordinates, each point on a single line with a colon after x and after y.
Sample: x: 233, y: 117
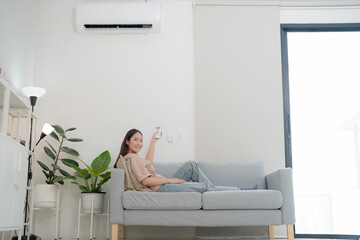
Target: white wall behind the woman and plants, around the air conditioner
x: 106, y: 84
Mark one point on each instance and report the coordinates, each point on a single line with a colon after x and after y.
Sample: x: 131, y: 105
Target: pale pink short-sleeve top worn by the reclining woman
x: 142, y: 169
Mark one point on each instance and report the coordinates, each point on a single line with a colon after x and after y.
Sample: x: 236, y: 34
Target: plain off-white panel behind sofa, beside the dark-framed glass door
x: 239, y: 112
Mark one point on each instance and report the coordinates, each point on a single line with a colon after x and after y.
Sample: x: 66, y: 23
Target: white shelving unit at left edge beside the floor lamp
x: 15, y: 117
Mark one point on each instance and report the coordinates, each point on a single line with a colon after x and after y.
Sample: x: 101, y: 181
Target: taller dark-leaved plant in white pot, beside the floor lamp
x: 45, y: 194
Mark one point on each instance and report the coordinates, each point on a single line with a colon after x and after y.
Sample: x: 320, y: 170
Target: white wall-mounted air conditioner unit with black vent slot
x: 115, y: 17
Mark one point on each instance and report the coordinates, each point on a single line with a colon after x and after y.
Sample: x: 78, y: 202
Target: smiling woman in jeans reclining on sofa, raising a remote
x: 188, y: 178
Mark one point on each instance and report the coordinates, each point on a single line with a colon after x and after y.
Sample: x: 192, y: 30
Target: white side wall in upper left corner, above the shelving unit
x: 17, y: 32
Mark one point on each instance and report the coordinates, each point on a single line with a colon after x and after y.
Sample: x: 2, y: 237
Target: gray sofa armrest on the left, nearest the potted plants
x: 117, y: 188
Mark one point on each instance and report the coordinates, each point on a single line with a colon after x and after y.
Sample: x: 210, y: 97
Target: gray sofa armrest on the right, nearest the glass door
x: 282, y: 180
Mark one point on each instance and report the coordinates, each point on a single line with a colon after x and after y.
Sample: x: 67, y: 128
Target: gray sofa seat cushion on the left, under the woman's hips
x: 162, y: 201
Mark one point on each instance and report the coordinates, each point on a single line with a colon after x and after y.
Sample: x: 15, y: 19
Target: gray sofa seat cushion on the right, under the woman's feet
x: 252, y: 199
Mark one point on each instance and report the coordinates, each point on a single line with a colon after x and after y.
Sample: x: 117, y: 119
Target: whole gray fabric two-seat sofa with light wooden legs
x: 272, y: 204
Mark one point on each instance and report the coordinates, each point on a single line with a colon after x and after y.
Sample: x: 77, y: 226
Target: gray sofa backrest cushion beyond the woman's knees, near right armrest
x: 235, y: 174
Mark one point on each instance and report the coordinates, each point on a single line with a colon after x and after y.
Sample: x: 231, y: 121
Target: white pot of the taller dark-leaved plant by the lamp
x: 45, y: 196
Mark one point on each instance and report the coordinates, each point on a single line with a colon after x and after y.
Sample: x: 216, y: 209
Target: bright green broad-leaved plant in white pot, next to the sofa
x: 90, y: 181
